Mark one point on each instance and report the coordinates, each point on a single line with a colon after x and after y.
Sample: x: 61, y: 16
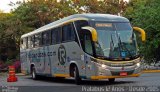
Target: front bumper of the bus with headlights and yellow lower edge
x: 133, y: 69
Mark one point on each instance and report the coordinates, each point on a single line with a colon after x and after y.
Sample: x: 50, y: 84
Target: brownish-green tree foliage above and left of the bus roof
x: 36, y: 13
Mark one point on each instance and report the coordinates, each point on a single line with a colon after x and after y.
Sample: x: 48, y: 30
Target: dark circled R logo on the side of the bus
x: 62, y: 54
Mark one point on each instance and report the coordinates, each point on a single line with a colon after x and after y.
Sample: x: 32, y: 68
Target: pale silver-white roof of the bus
x: 89, y: 16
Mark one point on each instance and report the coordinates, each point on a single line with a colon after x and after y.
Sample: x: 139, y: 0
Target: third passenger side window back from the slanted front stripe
x: 46, y: 38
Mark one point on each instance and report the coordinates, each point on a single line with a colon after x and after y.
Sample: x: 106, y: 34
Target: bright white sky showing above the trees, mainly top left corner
x: 6, y: 8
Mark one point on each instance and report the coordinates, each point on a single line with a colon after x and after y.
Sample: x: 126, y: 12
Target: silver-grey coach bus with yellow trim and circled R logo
x: 83, y: 46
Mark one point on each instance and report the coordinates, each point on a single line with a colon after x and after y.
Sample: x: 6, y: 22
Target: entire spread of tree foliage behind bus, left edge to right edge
x: 36, y: 13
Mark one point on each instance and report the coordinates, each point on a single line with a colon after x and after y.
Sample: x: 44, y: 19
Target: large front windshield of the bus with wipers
x: 115, y: 41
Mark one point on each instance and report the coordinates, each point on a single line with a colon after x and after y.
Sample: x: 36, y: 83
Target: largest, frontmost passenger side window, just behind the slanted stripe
x: 68, y: 33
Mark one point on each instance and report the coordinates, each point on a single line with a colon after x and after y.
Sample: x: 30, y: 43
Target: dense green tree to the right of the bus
x: 145, y: 14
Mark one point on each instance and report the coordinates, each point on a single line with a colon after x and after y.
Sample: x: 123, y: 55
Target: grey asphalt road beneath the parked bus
x: 145, y: 83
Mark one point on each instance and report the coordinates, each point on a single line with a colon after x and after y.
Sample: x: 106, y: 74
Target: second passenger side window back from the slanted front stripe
x: 56, y: 35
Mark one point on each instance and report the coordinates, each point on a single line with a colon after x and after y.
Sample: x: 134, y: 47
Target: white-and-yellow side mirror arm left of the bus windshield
x: 93, y: 33
